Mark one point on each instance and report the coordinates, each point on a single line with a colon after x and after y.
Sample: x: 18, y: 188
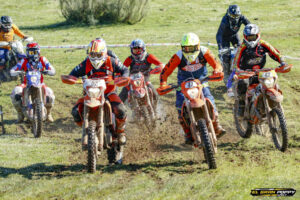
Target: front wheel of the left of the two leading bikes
x: 92, y: 148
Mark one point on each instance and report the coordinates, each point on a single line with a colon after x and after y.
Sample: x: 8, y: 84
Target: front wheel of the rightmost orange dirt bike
x: 279, y: 129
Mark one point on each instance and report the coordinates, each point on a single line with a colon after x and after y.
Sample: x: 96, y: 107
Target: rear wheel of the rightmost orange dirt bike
x: 243, y: 127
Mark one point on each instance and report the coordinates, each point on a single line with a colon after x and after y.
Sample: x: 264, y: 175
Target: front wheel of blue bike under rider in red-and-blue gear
x: 37, y: 121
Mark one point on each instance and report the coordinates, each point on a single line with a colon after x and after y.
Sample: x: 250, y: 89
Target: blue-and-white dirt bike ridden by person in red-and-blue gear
x: 33, y: 100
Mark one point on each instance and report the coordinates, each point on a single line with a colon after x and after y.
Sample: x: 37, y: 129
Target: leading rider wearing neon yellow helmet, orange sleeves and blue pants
x: 191, y: 63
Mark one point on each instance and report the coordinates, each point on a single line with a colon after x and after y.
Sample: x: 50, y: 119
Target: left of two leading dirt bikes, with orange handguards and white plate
x: 98, y: 119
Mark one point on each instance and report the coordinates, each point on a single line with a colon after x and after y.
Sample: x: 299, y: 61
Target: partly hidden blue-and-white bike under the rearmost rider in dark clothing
x: 227, y: 56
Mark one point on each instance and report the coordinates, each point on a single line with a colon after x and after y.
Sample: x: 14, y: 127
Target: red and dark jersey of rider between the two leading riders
x: 143, y: 66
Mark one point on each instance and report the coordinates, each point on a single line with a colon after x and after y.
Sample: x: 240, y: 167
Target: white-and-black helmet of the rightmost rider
x: 251, y: 35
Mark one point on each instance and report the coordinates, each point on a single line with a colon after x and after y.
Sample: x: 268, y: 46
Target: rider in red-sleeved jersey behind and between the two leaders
x: 141, y: 61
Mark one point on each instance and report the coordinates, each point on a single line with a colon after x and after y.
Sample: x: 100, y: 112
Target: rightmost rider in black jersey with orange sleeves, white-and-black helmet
x: 252, y: 53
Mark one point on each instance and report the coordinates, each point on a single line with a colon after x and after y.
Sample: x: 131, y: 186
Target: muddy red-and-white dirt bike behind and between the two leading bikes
x: 141, y: 99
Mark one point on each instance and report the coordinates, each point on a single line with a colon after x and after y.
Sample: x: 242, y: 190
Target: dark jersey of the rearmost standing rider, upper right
x: 227, y: 30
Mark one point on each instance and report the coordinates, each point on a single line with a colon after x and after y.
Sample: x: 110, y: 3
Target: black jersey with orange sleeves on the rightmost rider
x: 246, y: 57
